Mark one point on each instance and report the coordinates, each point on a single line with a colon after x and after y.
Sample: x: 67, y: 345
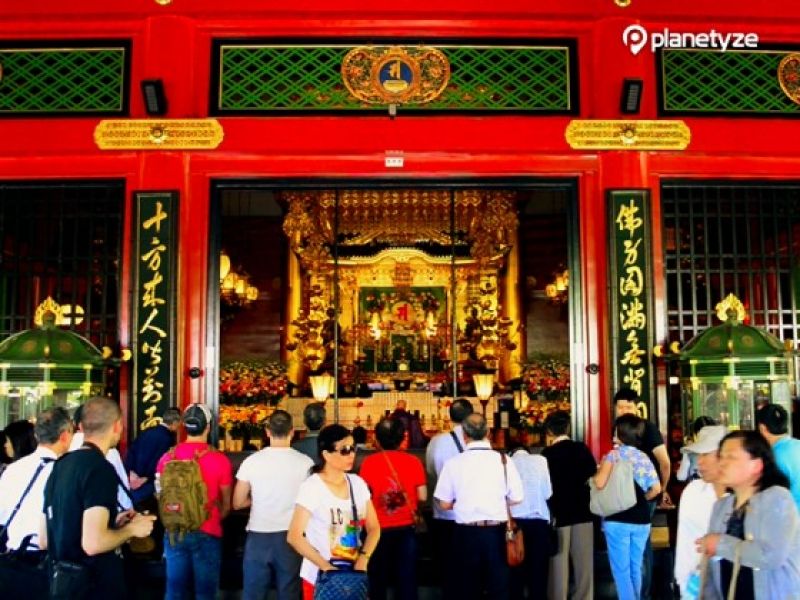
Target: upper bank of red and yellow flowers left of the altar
x: 252, y: 382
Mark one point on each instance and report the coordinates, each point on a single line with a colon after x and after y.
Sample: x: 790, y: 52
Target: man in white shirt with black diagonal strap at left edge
x: 54, y: 432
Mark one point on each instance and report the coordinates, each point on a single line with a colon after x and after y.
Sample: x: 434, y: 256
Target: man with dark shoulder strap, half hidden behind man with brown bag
x: 442, y: 448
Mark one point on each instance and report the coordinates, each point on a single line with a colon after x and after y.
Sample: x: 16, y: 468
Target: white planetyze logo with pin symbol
x: 636, y: 37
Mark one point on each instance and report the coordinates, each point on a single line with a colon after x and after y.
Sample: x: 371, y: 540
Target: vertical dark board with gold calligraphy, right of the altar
x: 632, y: 294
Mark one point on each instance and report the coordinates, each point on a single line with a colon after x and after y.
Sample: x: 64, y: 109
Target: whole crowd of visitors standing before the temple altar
x: 315, y: 521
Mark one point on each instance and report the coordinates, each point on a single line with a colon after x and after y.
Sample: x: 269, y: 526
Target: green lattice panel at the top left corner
x: 73, y: 81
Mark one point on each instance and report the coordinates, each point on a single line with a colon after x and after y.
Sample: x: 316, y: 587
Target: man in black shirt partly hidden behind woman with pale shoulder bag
x: 626, y: 402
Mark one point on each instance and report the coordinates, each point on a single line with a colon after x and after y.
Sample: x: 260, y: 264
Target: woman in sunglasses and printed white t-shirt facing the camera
x: 324, y: 530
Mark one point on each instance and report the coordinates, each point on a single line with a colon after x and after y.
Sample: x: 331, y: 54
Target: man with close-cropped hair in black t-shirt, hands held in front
x: 81, y: 523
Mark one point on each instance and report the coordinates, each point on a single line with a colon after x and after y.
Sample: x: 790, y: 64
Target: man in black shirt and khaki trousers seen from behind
x: 571, y: 464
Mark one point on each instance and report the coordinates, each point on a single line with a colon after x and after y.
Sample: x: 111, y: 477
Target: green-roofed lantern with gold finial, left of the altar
x: 47, y: 366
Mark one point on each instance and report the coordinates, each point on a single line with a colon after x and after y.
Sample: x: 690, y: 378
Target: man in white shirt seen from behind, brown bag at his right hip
x: 477, y: 488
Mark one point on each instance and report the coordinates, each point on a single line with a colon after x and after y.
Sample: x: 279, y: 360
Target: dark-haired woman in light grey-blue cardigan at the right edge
x: 754, y: 535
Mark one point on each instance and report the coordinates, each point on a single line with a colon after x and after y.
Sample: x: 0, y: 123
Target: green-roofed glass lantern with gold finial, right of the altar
x: 729, y: 370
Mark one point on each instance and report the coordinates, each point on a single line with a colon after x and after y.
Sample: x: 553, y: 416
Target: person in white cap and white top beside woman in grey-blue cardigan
x: 697, y: 501
